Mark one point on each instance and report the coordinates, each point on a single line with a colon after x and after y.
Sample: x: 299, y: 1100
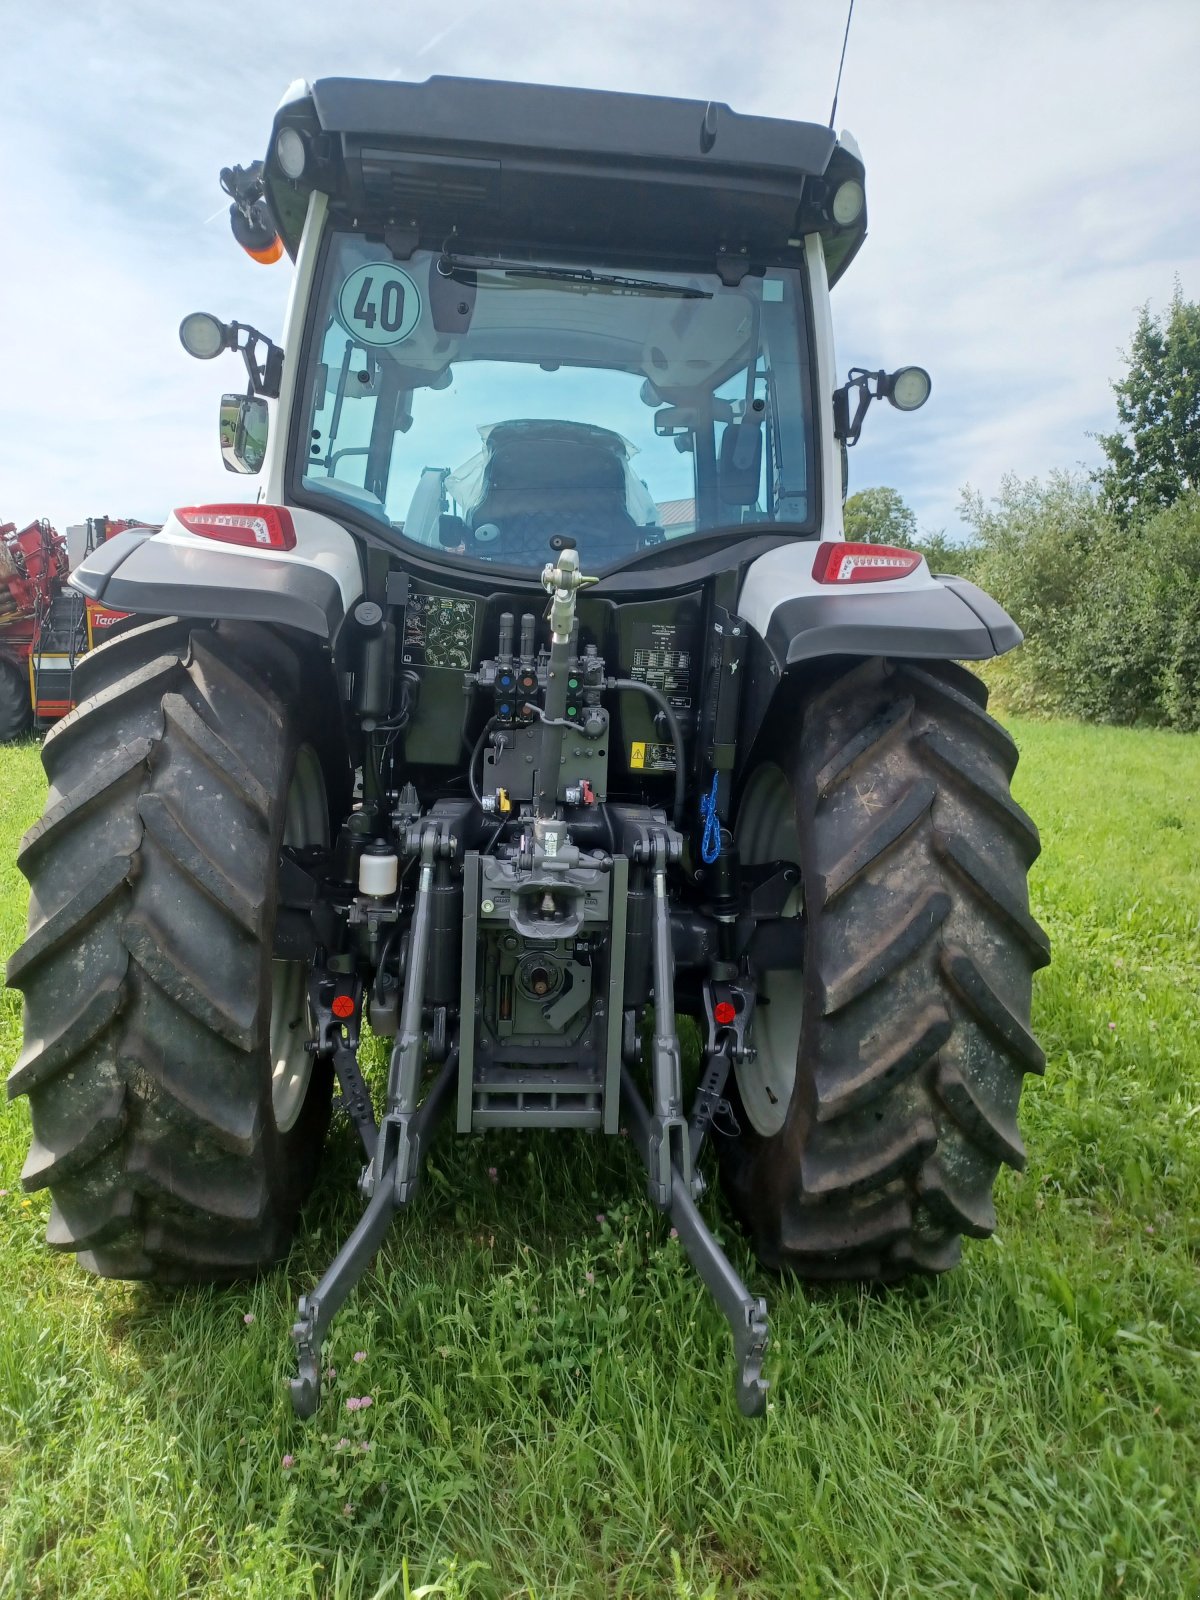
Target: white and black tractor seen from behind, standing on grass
x: 535, y: 705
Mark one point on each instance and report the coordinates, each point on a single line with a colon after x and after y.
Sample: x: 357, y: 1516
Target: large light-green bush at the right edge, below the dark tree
x: 1111, y: 617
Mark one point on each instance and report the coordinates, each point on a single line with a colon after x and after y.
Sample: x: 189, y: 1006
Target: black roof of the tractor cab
x: 577, y: 172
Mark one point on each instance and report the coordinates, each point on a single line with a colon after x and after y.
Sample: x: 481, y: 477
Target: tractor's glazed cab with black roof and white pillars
x: 623, y: 300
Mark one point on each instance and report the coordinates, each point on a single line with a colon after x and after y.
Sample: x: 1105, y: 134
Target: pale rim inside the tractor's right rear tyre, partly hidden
x: 767, y: 833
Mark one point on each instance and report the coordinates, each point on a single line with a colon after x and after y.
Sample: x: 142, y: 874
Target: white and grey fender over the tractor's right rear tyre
x: 921, y: 615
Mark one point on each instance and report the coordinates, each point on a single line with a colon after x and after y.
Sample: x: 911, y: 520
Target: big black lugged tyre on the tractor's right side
x: 911, y: 1022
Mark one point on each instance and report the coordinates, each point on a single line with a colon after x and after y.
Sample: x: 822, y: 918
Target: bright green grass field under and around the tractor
x: 553, y: 1410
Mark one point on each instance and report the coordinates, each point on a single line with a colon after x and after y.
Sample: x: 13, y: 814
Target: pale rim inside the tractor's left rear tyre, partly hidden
x: 306, y: 822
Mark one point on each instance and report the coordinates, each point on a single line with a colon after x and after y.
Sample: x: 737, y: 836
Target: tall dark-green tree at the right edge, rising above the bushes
x: 1154, y: 458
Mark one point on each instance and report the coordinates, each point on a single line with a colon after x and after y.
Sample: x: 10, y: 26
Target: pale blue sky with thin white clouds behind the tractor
x: 1033, y: 177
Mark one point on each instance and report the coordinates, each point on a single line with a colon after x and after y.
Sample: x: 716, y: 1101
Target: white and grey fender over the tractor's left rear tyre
x: 178, y: 574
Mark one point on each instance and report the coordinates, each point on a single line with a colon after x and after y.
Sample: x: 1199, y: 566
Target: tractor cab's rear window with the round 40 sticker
x: 484, y: 407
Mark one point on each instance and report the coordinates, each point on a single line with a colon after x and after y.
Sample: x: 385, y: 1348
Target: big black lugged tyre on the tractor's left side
x: 148, y: 970
